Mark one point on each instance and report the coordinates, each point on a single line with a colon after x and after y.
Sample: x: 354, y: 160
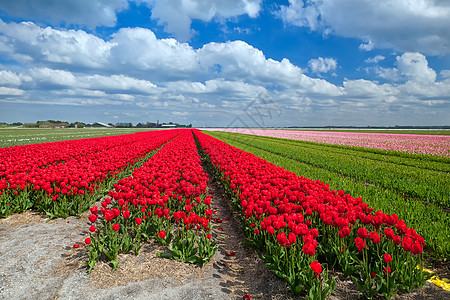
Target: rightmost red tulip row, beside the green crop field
x: 302, y: 227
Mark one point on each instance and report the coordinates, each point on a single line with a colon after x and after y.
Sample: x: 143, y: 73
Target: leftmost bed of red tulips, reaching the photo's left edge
x: 62, y: 186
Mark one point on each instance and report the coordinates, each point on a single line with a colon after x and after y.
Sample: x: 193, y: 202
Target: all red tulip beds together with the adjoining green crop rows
x: 310, y: 209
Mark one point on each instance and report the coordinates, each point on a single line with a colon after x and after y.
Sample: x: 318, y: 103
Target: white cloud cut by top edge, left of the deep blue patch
x: 176, y: 16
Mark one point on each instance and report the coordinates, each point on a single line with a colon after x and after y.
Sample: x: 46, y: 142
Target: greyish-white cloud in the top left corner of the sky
x: 90, y: 13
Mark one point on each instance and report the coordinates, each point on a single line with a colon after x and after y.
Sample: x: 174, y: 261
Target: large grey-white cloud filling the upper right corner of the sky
x: 407, y: 26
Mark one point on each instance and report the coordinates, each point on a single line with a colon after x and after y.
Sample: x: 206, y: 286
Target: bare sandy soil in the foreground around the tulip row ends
x: 38, y: 261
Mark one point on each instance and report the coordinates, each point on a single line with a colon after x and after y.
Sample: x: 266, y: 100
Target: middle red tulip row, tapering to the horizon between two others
x: 165, y: 199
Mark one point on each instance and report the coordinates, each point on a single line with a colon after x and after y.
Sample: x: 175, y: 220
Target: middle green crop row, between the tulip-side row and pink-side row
x: 422, y: 184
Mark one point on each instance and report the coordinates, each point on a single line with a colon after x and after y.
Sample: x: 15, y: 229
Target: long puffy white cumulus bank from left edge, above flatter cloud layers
x: 138, y: 50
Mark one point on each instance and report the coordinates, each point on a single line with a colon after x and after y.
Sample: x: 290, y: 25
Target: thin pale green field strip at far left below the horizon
x: 25, y: 136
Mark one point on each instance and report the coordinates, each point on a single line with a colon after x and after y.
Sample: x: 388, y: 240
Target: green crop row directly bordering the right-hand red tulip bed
x: 429, y: 220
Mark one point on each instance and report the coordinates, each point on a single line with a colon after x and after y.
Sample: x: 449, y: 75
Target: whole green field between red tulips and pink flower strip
x: 417, y: 188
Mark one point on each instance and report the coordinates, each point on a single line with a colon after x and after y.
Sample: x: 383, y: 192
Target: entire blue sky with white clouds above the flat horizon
x: 226, y: 63
